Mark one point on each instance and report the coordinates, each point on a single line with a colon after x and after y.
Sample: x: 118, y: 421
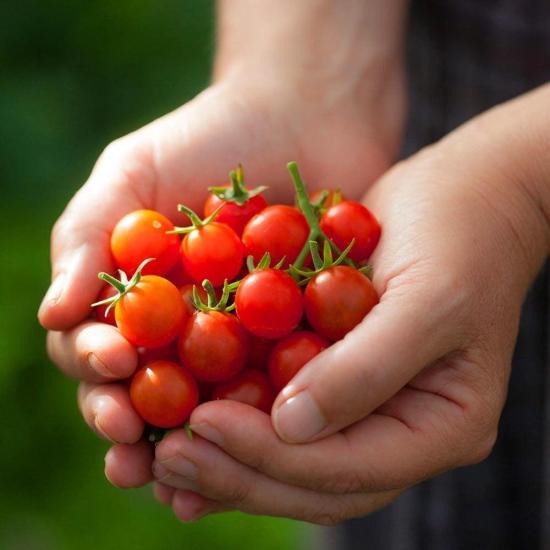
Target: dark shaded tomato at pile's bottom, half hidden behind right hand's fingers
x: 251, y: 387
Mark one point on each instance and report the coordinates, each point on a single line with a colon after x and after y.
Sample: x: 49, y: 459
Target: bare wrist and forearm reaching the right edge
x: 503, y: 155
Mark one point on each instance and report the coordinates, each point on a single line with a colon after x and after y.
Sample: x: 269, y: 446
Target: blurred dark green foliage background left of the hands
x: 74, y: 75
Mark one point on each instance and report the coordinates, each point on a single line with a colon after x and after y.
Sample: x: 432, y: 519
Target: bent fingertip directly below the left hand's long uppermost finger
x: 95, y: 352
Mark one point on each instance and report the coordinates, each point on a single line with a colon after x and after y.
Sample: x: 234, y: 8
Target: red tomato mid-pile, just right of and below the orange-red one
x: 213, y: 345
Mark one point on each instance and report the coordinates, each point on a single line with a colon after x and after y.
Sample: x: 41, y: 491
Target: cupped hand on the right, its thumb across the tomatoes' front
x: 414, y: 390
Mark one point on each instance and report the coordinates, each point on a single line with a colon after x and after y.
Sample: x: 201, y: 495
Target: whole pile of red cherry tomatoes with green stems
x: 237, y: 306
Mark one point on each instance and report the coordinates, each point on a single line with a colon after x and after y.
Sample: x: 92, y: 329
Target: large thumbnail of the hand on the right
x: 298, y: 418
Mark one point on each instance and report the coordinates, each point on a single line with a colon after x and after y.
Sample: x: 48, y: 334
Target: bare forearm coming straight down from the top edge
x: 341, y: 56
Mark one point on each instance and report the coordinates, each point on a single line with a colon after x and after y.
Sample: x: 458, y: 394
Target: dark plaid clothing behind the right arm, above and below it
x: 464, y: 57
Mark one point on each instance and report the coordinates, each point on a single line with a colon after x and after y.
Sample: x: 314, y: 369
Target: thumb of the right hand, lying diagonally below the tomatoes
x: 400, y: 336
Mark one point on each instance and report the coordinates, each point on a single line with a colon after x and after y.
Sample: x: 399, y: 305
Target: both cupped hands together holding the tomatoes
x: 414, y: 390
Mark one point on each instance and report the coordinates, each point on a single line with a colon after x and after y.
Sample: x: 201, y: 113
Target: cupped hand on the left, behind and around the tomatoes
x: 172, y: 160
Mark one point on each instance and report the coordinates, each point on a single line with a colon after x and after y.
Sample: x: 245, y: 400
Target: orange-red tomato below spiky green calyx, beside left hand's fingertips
x: 152, y: 313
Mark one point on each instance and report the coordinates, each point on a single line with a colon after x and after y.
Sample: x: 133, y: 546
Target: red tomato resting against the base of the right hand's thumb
x: 337, y: 299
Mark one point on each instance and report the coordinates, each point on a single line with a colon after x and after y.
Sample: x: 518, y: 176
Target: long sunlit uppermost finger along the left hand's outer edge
x: 80, y: 238
